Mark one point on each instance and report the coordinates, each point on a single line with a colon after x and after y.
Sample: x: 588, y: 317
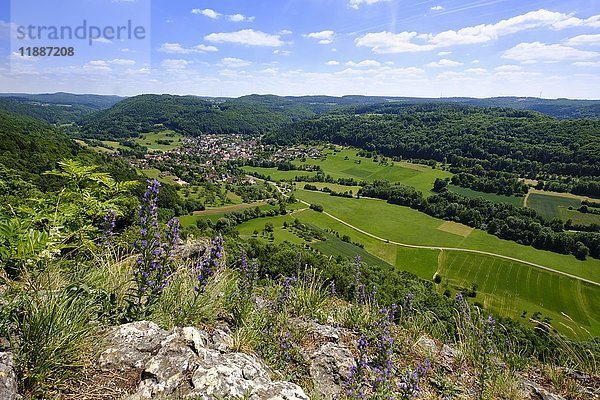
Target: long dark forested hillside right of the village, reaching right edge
x: 500, y: 139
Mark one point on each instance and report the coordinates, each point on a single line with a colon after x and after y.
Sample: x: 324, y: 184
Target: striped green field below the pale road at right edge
x: 511, y: 288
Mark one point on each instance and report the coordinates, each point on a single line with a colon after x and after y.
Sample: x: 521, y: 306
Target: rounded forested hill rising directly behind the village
x: 193, y: 115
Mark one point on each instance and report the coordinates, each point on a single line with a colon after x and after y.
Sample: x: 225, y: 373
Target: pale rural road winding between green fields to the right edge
x: 414, y: 246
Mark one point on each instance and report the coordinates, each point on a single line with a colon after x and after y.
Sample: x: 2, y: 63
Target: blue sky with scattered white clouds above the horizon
x: 437, y: 48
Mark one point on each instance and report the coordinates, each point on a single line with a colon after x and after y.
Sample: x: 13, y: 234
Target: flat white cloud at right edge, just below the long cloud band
x: 537, y: 51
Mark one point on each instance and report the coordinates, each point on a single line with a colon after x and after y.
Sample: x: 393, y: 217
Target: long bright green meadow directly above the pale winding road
x: 405, y: 225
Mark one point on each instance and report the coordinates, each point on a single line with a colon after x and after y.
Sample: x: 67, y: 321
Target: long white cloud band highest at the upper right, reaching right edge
x: 387, y: 42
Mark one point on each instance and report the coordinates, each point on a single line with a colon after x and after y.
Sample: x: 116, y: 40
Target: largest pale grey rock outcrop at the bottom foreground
x: 190, y: 362
